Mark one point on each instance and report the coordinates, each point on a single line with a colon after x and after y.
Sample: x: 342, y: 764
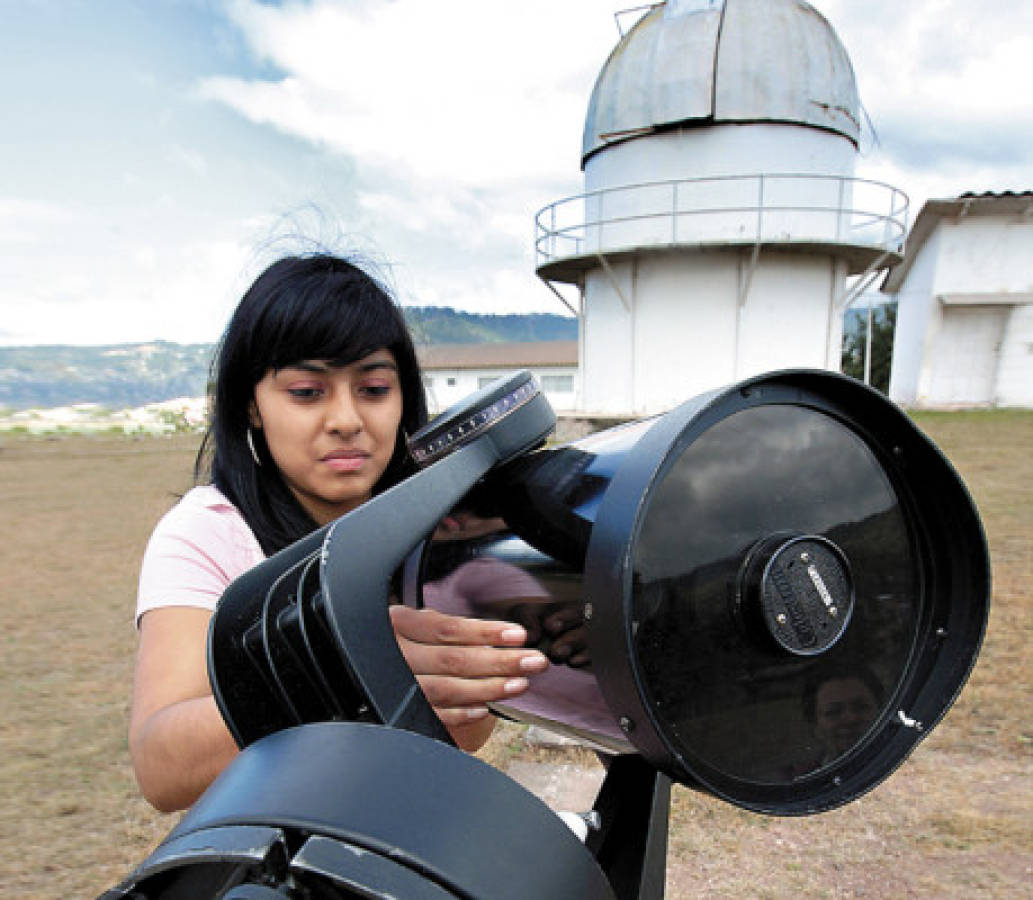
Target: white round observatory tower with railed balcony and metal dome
x: 721, y: 219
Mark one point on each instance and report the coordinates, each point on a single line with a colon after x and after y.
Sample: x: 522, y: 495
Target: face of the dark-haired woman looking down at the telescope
x: 331, y: 430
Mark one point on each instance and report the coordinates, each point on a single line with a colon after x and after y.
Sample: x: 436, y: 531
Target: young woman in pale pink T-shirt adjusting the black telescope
x: 317, y: 385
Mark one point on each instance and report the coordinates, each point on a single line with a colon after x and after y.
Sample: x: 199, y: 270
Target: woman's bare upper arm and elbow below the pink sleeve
x: 178, y: 740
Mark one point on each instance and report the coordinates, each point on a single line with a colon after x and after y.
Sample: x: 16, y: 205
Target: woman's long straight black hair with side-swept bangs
x: 314, y: 307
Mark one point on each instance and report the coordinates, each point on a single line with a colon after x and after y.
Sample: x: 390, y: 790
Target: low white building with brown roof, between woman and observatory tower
x: 455, y: 371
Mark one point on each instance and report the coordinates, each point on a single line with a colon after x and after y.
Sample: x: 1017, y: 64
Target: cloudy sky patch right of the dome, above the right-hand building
x: 944, y: 82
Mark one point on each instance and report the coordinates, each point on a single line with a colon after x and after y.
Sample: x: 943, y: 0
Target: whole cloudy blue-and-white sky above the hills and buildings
x: 155, y: 156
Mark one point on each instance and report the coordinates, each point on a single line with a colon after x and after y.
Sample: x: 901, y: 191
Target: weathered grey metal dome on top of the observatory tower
x: 690, y: 63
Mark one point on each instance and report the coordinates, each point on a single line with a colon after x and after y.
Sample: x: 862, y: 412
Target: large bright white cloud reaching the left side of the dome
x: 459, y: 89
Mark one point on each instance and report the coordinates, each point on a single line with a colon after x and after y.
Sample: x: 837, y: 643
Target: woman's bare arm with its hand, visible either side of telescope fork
x: 179, y: 742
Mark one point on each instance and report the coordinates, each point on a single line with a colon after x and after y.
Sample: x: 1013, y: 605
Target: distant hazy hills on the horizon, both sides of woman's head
x: 124, y: 376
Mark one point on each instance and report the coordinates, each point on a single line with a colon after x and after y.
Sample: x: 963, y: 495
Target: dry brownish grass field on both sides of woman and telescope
x: 956, y: 821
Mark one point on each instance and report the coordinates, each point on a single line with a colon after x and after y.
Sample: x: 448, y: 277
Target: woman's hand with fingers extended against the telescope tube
x: 462, y: 665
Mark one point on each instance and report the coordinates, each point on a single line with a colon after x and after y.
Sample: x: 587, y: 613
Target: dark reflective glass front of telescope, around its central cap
x: 768, y: 472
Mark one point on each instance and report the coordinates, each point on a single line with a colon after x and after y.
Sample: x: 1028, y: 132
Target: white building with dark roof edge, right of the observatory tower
x: 965, y: 304
